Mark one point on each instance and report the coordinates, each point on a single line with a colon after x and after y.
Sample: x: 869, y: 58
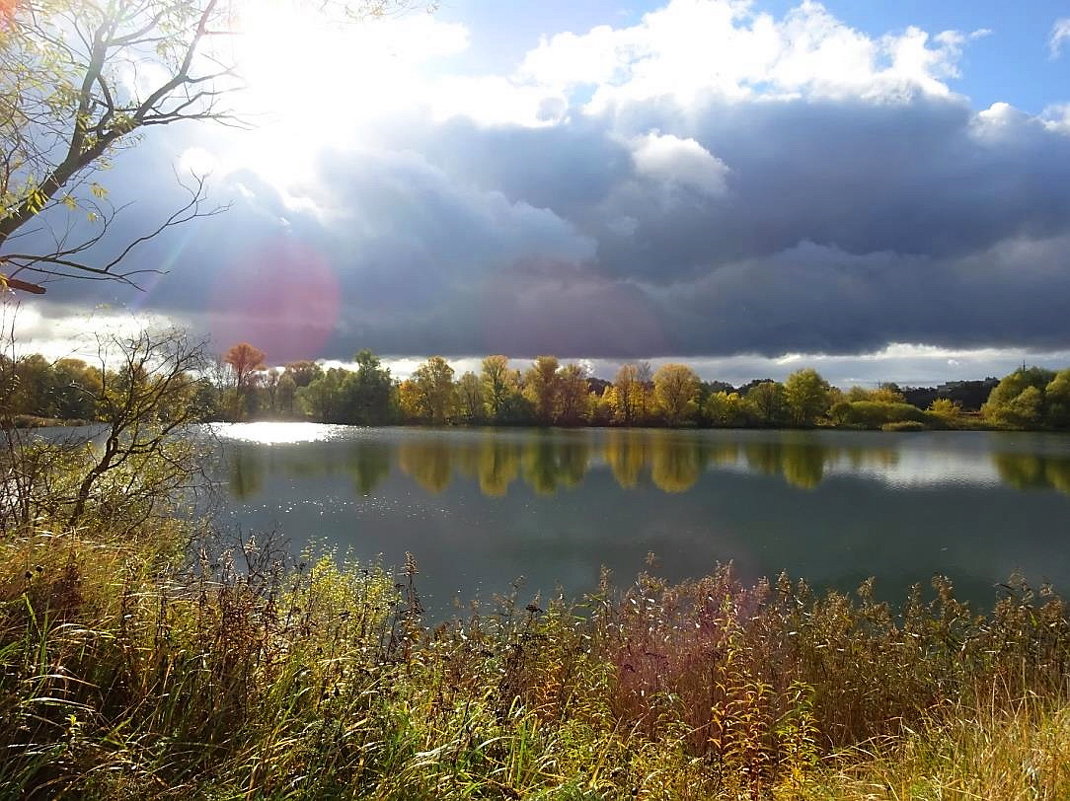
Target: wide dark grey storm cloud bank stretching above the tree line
x: 843, y: 226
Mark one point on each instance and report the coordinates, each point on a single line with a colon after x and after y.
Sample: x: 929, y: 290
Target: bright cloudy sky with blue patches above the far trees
x: 879, y: 190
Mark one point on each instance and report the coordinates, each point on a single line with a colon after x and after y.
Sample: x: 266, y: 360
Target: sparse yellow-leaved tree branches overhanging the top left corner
x: 70, y: 104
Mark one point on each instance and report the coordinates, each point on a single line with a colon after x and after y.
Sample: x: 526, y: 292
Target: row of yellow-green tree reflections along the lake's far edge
x: 551, y: 461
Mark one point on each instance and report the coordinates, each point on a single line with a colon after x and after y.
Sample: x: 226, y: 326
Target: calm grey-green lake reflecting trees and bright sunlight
x: 483, y: 509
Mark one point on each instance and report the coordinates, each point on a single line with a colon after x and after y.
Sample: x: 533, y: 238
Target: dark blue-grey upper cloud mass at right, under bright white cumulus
x: 923, y: 179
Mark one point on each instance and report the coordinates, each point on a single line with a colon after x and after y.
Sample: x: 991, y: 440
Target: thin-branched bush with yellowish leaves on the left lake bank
x: 133, y: 471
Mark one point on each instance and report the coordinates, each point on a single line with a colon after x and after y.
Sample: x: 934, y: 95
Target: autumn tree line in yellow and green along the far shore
x: 241, y: 387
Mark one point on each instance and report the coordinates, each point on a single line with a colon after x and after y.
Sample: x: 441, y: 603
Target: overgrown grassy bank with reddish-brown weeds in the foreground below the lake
x: 130, y: 671
